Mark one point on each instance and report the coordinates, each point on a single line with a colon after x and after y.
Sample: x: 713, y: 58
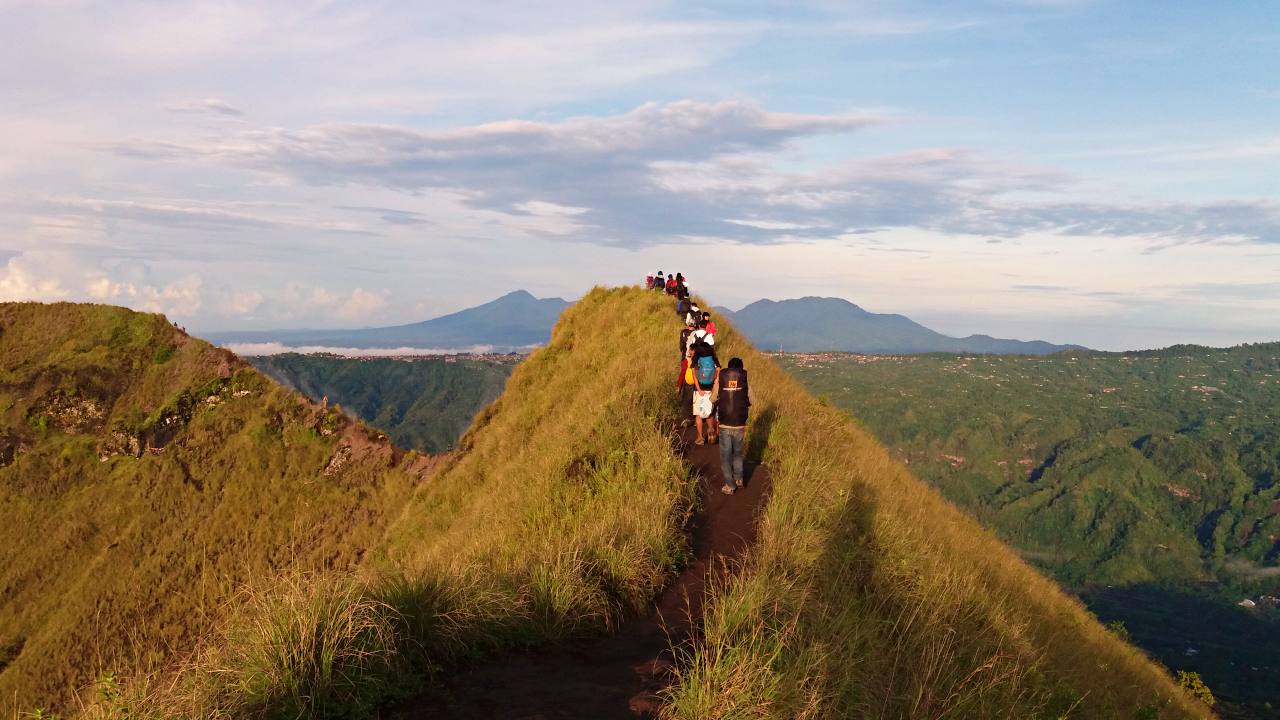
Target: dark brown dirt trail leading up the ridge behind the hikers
x: 615, y: 677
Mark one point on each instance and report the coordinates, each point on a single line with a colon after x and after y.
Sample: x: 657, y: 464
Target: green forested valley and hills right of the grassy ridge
x: 1150, y: 471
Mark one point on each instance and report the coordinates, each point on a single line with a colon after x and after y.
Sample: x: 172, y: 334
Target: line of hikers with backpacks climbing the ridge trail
x: 715, y: 399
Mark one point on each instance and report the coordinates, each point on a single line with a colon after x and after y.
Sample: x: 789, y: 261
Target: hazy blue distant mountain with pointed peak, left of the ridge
x: 514, y: 321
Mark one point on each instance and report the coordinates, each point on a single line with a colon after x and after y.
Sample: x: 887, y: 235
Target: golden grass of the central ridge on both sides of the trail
x: 867, y: 596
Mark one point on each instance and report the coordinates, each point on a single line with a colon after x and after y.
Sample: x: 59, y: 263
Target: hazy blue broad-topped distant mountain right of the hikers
x: 815, y: 325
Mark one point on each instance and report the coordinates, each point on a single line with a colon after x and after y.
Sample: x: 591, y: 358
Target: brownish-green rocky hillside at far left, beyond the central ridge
x: 145, y: 477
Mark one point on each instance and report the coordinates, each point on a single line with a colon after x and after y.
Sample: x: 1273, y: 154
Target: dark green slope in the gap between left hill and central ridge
x: 423, y: 404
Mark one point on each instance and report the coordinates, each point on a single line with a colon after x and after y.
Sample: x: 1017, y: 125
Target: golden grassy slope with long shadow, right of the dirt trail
x: 871, y: 596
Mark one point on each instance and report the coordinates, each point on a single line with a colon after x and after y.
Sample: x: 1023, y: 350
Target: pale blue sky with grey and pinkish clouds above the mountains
x: 1090, y: 172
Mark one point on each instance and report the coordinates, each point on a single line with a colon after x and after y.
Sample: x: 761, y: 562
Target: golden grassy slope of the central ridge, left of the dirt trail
x: 563, y: 512
